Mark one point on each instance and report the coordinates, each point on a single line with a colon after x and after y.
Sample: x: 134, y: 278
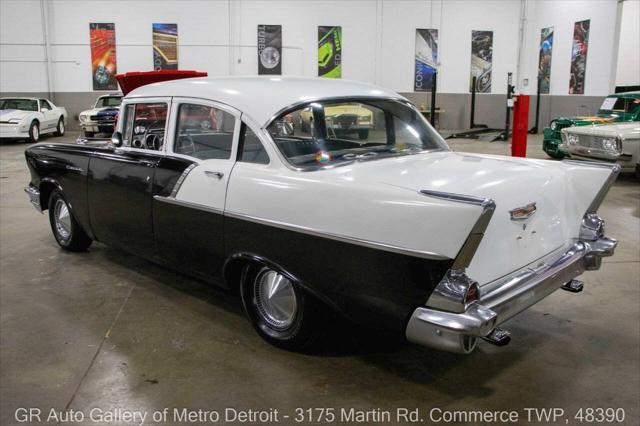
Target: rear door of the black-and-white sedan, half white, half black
x: 188, y: 215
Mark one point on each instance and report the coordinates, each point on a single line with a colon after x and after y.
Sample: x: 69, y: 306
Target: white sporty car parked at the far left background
x: 28, y: 118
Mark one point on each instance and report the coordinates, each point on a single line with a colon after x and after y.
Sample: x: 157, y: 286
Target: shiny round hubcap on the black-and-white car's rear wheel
x: 275, y: 299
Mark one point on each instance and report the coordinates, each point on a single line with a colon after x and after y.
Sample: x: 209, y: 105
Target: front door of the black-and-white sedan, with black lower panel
x: 120, y: 188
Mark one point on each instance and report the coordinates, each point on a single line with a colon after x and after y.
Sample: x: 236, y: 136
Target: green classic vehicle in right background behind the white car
x: 615, y: 108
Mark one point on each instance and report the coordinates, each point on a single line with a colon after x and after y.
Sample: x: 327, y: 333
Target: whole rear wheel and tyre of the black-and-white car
x: 279, y: 309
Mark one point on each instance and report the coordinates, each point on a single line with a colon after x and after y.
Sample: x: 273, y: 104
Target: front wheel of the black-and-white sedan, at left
x: 68, y: 233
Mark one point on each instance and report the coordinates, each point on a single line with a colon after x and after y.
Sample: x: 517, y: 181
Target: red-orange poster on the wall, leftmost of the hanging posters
x: 103, y: 56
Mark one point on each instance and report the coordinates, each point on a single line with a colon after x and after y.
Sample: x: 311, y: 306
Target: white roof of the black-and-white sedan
x: 261, y: 97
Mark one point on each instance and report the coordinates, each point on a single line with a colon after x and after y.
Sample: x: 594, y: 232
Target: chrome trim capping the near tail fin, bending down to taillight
x: 468, y: 249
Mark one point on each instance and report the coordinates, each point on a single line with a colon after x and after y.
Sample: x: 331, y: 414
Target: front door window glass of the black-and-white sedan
x: 144, y: 126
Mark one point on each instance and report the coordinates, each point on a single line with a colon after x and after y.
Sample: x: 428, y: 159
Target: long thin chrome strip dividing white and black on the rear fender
x: 338, y: 237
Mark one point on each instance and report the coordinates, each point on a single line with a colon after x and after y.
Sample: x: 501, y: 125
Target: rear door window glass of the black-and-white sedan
x: 204, y: 132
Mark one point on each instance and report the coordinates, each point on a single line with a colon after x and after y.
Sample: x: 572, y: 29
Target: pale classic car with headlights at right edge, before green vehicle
x: 613, y: 143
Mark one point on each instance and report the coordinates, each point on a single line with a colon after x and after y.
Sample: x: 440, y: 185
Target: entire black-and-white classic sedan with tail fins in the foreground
x: 393, y: 230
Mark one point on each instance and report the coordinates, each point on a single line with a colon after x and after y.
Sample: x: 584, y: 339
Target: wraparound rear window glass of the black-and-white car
x: 334, y: 132
